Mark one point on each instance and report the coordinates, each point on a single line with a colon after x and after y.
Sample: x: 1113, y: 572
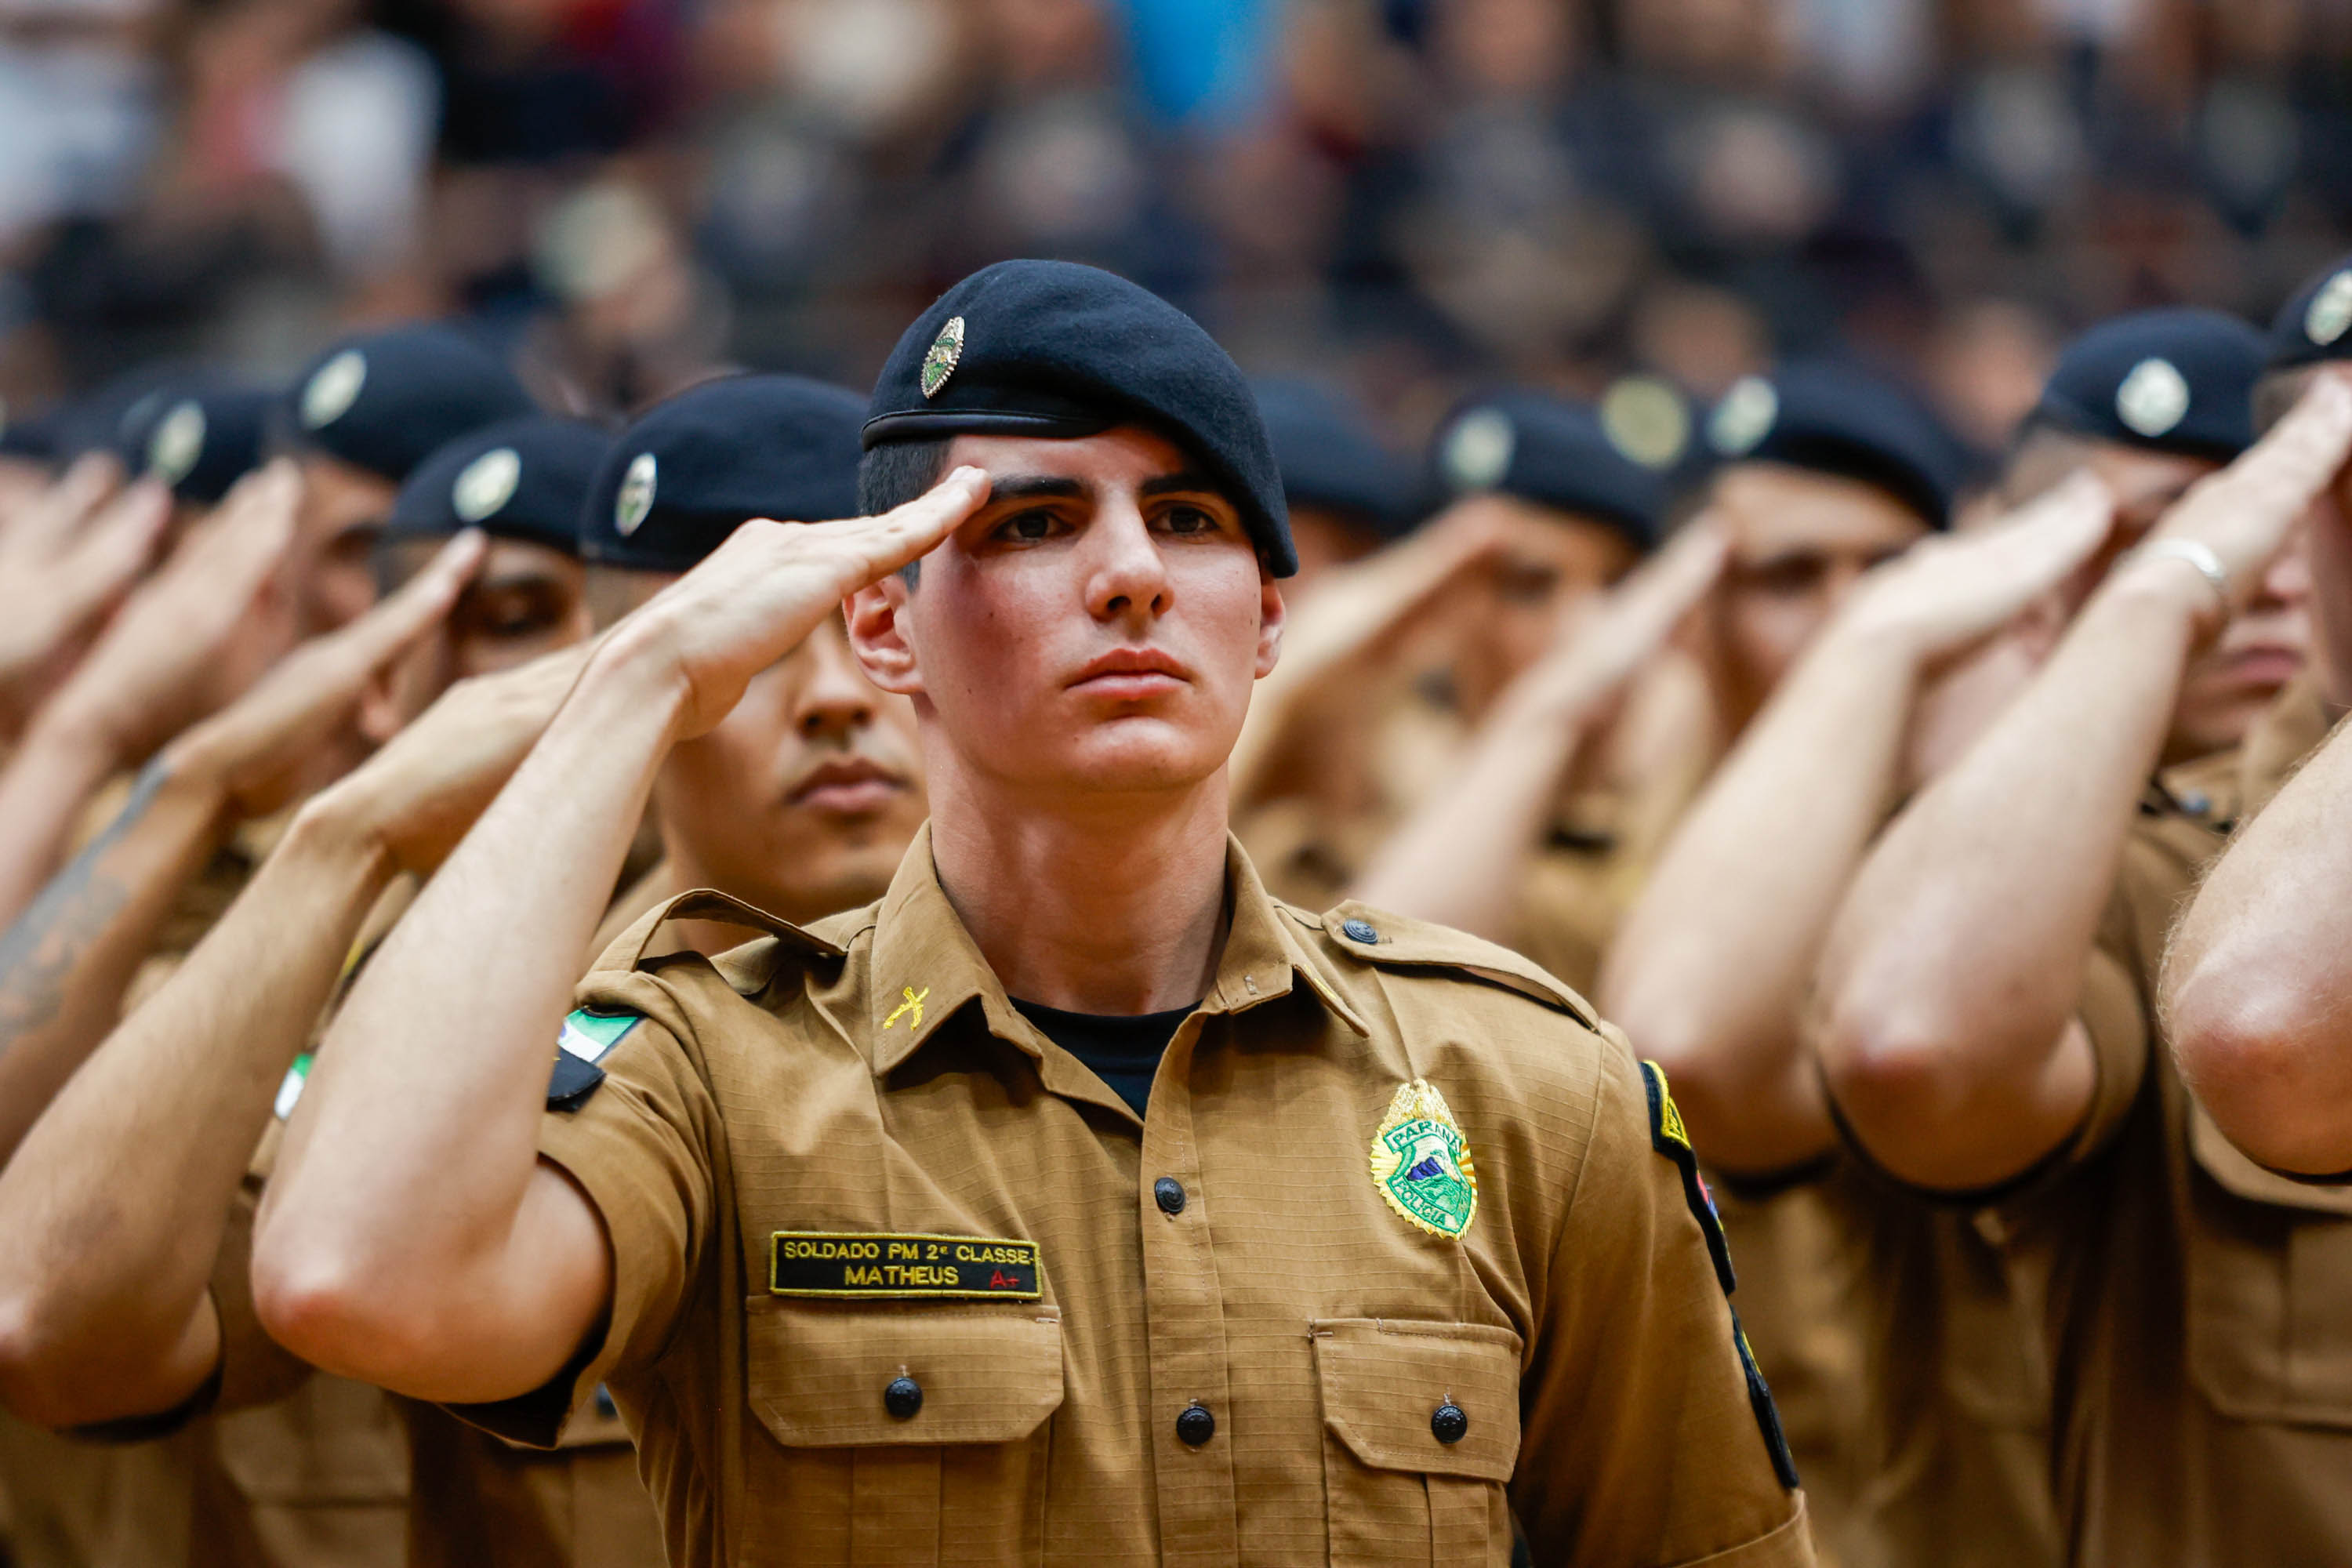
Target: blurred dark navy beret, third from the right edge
x: 1843, y: 422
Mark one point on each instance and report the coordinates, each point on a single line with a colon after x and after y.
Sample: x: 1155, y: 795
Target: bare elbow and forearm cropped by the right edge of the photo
x: 2259, y: 977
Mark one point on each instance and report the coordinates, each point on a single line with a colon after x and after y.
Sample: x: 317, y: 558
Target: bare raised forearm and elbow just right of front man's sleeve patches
x: 1711, y: 970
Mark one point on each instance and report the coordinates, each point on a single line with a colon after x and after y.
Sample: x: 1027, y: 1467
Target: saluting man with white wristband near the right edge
x: 1991, y: 1036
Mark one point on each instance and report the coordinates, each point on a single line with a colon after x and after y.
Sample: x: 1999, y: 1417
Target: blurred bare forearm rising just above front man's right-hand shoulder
x: 1459, y: 859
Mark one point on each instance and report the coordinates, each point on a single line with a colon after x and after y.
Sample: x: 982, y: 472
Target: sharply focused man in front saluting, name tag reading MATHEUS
x: 1076, y: 1202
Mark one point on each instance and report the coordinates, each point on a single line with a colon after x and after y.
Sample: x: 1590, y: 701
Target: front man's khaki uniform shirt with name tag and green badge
x: 838, y: 1162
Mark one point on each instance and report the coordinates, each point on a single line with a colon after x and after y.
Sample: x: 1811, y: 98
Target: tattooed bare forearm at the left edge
x: 72, y: 956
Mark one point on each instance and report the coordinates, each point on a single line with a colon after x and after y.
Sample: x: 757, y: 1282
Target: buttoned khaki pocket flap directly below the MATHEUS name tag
x: 817, y: 1372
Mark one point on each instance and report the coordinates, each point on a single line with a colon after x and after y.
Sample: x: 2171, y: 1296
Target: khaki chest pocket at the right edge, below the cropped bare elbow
x: 2271, y: 1271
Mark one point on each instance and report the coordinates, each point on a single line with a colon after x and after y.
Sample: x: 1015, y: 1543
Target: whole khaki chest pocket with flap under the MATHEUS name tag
x: 864, y: 1470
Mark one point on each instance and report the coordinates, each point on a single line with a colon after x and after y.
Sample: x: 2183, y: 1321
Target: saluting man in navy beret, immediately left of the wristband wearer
x: 1869, y: 1306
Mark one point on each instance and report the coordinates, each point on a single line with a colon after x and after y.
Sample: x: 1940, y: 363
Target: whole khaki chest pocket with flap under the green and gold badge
x: 1396, y: 1489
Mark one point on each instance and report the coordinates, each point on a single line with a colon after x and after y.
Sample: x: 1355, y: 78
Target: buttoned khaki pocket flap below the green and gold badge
x: 1384, y: 1383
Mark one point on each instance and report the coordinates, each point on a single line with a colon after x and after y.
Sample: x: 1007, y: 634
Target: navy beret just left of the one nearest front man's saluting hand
x: 521, y: 478
